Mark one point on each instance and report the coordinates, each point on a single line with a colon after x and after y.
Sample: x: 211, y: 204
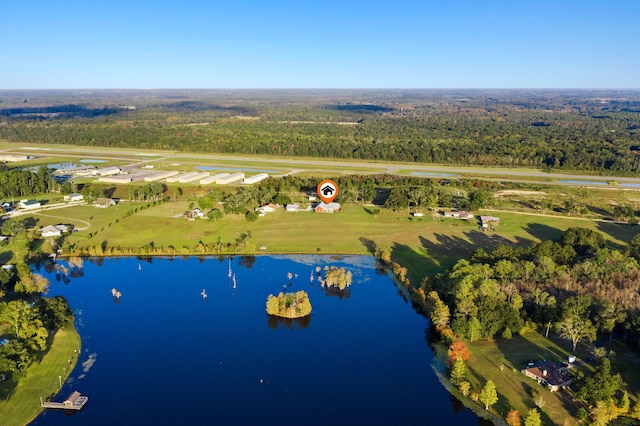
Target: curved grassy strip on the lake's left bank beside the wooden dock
x: 20, y: 404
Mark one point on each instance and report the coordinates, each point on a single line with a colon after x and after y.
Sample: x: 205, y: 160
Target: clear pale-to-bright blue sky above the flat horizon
x: 320, y: 44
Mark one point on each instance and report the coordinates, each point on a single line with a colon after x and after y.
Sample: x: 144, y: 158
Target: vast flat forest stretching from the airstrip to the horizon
x: 596, y: 131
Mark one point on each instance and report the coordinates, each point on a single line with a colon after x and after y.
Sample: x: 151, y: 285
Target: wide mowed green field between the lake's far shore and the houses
x: 424, y: 245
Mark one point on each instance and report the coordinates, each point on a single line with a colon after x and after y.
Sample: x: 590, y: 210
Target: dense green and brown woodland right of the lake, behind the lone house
x: 501, y: 292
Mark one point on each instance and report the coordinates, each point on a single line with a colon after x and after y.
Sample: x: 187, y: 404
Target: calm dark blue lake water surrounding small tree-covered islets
x: 164, y: 356
